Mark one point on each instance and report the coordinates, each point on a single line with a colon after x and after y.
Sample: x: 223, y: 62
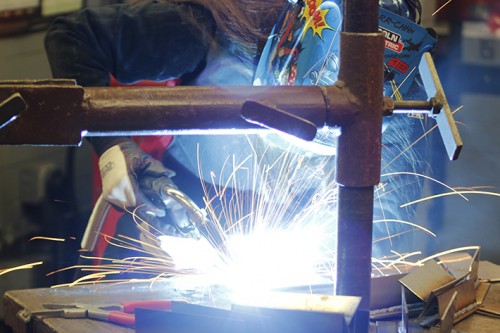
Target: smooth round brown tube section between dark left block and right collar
x: 191, y: 109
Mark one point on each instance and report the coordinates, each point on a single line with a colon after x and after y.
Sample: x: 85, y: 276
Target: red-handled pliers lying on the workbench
x: 121, y: 313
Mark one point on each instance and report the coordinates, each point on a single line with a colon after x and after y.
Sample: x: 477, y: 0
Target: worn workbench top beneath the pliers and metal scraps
x: 18, y: 305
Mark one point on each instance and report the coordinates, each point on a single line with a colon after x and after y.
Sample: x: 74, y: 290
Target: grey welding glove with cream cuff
x: 121, y: 166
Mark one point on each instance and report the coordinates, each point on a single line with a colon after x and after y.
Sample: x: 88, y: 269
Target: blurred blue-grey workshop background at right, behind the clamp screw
x: 468, y: 61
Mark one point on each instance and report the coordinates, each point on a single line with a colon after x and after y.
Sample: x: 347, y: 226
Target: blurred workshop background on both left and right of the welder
x: 45, y: 191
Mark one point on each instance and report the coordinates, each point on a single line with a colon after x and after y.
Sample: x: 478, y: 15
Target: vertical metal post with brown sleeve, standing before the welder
x: 359, y: 151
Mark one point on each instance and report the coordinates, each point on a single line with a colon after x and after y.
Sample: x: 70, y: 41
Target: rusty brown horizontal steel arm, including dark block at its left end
x: 60, y: 112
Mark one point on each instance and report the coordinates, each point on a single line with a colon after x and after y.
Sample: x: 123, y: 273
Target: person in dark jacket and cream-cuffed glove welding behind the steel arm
x: 171, y: 42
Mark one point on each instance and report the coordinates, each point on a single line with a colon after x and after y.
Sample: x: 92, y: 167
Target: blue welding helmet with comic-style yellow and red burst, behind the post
x: 304, y: 49
